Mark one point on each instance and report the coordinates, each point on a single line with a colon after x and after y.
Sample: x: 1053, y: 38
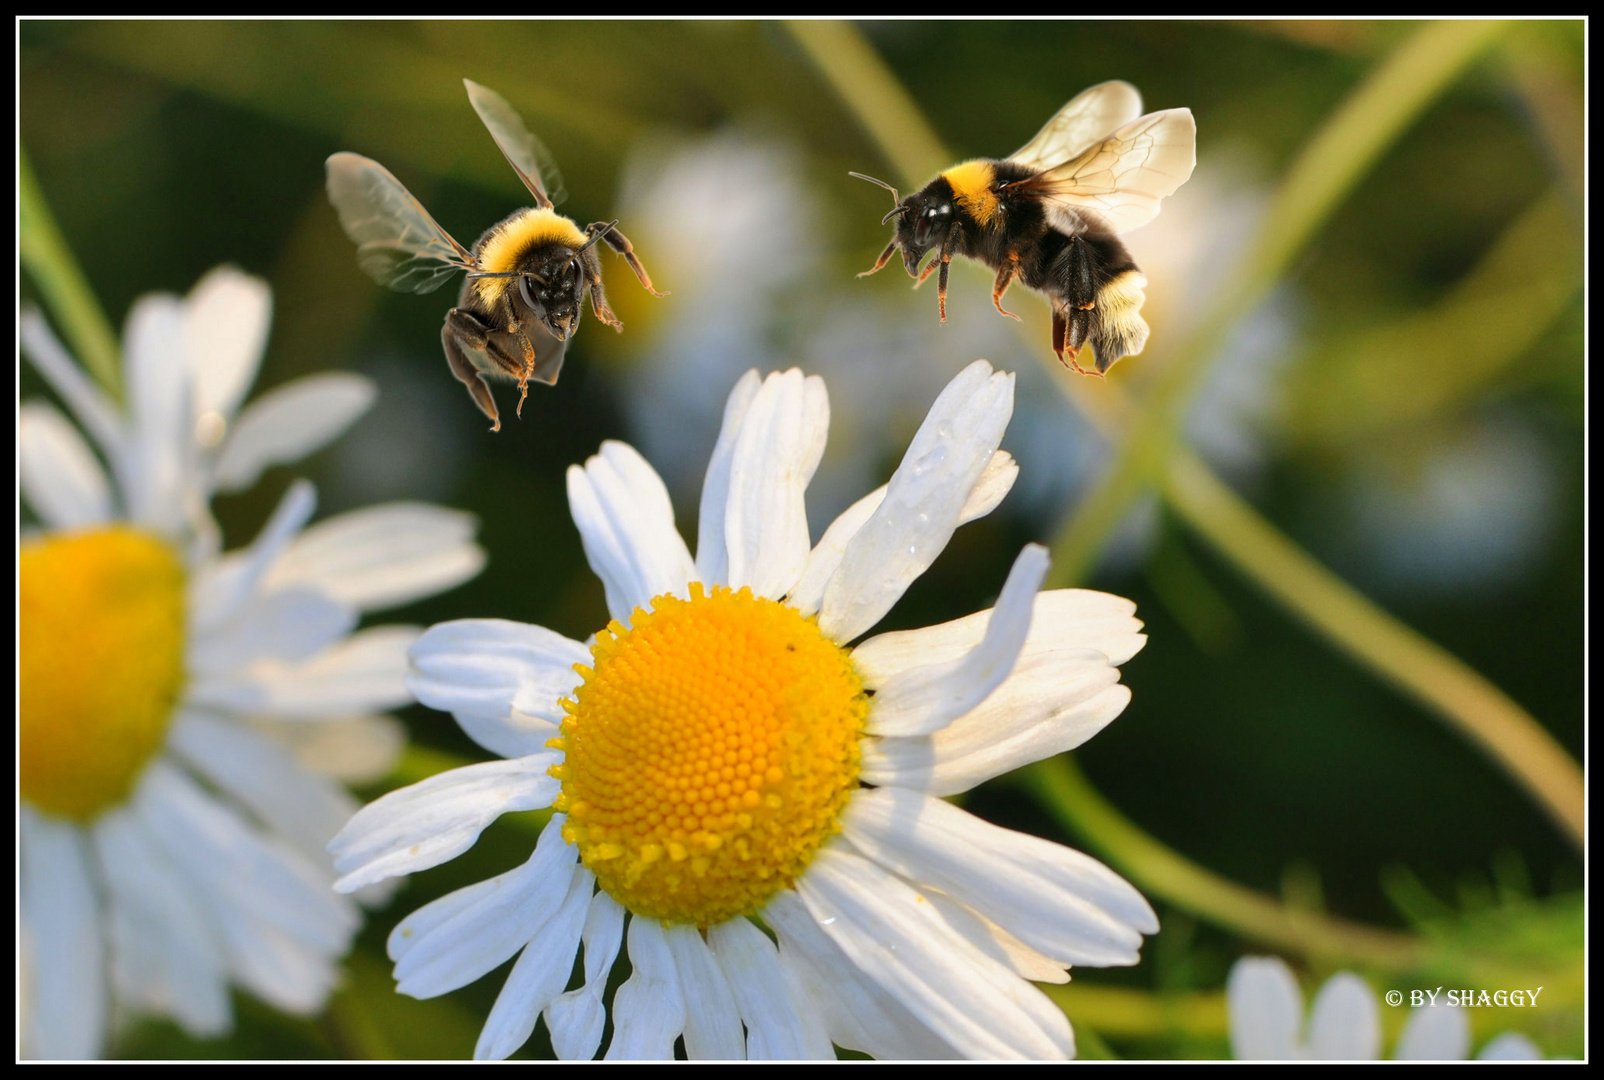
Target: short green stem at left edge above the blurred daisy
x: 51, y: 264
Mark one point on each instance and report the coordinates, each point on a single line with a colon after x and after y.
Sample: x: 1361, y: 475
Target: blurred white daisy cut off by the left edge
x: 187, y: 717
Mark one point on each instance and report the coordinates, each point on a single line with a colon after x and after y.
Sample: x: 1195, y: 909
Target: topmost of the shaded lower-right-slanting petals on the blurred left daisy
x: 301, y: 806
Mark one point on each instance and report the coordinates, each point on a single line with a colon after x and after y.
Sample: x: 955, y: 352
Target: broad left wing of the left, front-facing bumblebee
x: 397, y: 242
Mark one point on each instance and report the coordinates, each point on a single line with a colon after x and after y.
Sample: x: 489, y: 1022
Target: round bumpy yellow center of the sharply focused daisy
x: 710, y: 753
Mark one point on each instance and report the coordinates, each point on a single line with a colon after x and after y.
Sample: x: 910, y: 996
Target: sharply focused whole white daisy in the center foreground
x: 721, y: 761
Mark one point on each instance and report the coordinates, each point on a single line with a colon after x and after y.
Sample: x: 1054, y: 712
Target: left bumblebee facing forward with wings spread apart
x: 529, y: 275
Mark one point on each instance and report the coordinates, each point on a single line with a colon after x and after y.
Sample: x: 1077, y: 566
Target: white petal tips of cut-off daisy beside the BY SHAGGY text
x: 1345, y: 1025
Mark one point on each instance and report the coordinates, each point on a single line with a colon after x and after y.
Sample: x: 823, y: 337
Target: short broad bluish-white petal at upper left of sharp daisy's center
x: 503, y: 681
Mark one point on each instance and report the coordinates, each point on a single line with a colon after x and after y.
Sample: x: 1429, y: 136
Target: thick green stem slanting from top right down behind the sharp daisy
x: 1335, y: 161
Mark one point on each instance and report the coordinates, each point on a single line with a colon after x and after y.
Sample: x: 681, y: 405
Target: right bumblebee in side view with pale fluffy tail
x: 1051, y: 216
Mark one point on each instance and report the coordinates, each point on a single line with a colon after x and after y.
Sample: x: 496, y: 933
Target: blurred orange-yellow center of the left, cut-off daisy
x: 103, y: 664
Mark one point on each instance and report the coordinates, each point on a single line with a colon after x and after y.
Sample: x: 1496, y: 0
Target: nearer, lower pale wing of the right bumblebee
x: 1124, y: 177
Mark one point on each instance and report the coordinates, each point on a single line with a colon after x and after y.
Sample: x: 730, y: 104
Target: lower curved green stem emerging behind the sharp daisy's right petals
x: 1063, y: 789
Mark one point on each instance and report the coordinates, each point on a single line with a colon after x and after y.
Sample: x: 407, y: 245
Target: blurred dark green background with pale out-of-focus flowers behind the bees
x: 1408, y: 404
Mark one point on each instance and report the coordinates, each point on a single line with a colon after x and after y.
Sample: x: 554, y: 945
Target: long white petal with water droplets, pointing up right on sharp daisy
x: 923, y: 501
